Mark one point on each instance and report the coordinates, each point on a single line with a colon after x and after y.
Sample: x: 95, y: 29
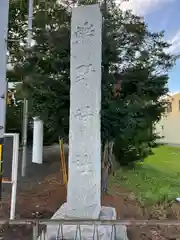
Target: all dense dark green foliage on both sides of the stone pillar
x: 133, y: 59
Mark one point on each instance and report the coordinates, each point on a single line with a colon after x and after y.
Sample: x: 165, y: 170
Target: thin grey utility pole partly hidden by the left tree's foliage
x: 25, y: 109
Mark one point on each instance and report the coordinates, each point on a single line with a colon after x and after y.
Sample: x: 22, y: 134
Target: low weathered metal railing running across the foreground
x: 39, y: 226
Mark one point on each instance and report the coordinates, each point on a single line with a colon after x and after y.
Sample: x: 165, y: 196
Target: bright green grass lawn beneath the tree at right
x: 157, y: 179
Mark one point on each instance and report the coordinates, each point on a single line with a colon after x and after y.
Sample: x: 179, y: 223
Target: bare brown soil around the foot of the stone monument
x: 41, y: 199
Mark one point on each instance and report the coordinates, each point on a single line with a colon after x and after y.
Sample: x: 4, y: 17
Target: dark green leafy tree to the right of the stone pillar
x: 137, y: 59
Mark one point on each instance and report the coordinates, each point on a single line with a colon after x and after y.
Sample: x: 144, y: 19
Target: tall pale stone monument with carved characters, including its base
x: 84, y: 184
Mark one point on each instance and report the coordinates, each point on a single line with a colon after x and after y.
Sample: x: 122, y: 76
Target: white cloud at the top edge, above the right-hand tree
x: 142, y: 7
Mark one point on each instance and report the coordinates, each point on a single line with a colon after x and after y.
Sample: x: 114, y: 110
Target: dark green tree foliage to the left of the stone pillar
x: 46, y: 65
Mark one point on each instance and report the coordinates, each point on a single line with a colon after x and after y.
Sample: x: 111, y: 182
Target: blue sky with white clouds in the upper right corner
x: 161, y: 15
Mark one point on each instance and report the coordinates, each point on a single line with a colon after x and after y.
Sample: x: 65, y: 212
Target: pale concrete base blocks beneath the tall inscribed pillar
x: 87, y: 232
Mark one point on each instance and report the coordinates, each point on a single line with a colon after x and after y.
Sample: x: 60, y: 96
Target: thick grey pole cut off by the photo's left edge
x: 4, y: 13
